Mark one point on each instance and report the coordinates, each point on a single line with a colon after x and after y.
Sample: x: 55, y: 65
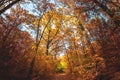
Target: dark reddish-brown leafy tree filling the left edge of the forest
x: 15, y: 45
